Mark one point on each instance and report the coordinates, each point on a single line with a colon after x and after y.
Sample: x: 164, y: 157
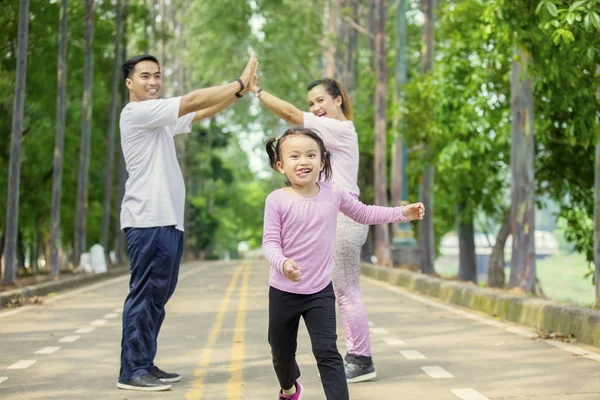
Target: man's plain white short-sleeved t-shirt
x: 155, y: 190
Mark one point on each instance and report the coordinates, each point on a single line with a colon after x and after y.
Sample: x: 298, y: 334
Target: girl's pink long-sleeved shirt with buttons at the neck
x: 303, y: 229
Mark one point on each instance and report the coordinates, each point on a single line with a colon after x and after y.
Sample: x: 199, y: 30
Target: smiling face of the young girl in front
x: 301, y: 160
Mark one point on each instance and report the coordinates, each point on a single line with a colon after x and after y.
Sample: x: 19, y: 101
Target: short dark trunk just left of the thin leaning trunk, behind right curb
x: 467, y: 267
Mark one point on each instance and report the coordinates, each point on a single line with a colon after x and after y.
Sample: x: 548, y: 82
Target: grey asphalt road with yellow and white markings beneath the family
x: 214, y: 335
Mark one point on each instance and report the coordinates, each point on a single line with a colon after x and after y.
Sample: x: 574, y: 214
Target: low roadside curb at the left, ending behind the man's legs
x: 45, y: 288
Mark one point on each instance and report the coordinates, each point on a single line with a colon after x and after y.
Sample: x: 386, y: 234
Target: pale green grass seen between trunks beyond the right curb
x: 561, y: 277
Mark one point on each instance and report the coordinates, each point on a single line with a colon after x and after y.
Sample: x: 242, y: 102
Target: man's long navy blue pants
x: 154, y: 256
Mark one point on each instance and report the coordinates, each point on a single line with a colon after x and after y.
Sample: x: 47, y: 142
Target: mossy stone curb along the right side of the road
x: 579, y: 322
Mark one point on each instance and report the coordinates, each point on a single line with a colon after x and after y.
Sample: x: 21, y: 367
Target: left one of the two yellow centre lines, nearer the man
x: 196, y: 392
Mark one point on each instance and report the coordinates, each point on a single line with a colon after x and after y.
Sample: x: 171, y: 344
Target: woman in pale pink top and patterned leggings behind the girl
x: 331, y: 115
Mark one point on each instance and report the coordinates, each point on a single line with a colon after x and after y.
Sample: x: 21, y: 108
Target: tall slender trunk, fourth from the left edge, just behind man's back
x: 110, y: 155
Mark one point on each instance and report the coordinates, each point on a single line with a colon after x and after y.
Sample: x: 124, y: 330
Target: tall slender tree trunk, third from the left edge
x: 86, y: 133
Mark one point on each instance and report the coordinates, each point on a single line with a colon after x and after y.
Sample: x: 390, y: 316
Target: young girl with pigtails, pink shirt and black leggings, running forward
x: 298, y: 240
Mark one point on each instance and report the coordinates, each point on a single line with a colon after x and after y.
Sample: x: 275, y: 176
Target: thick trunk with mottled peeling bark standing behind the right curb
x: 522, y: 272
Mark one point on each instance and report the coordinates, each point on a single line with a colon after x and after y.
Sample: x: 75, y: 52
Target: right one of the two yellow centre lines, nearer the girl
x: 235, y: 385
